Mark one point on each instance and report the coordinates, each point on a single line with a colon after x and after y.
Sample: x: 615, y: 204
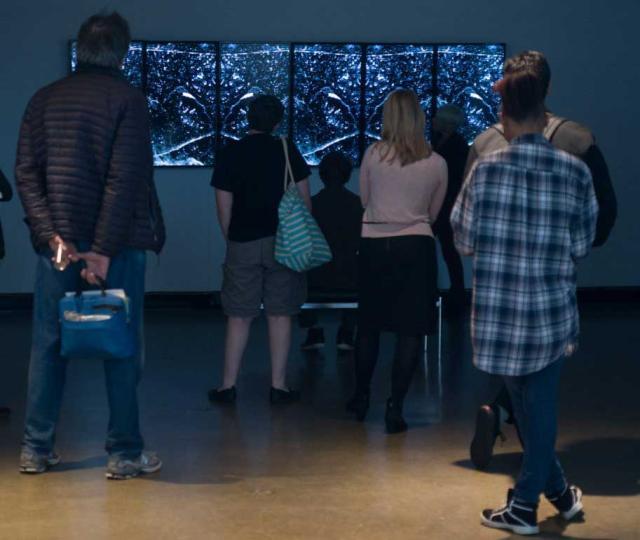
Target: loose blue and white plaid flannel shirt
x: 526, y: 213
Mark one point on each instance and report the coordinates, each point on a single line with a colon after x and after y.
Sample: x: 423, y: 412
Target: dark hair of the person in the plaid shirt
x: 522, y: 95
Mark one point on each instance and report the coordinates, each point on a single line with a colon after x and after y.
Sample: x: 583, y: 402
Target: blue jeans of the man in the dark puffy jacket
x: 47, y: 369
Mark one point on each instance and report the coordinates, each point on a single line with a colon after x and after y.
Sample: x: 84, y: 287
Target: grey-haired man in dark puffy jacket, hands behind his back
x: 84, y: 172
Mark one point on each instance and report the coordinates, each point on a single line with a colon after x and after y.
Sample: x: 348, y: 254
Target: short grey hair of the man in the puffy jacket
x: 103, y: 40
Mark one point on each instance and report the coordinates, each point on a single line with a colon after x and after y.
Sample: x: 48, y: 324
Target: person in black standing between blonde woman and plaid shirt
x: 454, y: 149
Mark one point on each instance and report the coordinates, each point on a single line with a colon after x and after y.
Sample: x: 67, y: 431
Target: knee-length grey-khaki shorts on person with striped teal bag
x: 251, y: 277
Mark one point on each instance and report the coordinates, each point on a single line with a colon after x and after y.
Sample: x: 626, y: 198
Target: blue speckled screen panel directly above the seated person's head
x: 327, y: 100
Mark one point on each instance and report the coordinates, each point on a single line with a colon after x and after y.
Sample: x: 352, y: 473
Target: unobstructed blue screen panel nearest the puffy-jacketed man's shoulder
x: 181, y: 91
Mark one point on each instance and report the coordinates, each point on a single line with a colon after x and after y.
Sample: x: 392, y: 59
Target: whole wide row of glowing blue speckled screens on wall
x: 198, y: 92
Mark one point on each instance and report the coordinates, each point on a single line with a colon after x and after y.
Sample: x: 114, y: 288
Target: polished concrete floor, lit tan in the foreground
x: 308, y: 470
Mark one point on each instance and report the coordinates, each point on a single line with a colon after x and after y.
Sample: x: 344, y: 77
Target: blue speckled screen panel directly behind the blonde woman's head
x: 394, y: 66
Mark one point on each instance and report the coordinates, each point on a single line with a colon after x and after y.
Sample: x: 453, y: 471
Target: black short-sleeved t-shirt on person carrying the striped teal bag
x: 253, y: 170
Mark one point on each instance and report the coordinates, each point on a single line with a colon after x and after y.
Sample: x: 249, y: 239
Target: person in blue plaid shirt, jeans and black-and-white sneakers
x: 526, y: 214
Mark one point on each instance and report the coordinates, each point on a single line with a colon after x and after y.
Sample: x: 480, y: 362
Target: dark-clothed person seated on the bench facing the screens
x: 338, y: 212
